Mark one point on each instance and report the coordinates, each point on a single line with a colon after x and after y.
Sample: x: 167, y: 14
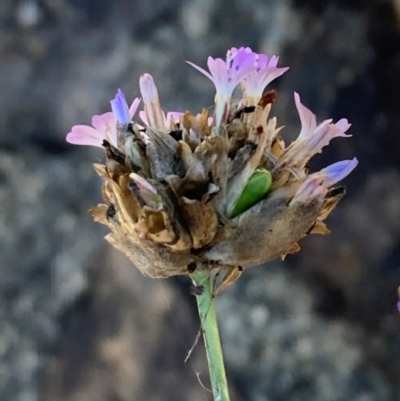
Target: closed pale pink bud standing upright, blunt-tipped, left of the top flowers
x: 151, y: 102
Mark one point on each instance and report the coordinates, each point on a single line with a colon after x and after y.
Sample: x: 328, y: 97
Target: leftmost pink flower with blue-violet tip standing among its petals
x: 104, y: 125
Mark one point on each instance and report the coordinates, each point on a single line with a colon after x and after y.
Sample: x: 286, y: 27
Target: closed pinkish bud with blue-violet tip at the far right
x: 316, y: 185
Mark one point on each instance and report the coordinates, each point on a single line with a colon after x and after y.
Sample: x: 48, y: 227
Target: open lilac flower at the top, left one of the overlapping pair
x: 226, y: 75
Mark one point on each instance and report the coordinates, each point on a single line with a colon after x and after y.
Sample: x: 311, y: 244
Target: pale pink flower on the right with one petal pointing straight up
x: 312, y: 138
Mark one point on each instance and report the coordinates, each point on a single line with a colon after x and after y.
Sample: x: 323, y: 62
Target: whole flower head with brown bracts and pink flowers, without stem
x: 224, y: 190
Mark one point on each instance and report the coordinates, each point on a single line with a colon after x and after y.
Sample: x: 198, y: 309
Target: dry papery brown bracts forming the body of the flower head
x: 169, y: 194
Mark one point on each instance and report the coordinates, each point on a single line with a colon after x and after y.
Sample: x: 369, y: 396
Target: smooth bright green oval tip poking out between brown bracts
x: 257, y: 187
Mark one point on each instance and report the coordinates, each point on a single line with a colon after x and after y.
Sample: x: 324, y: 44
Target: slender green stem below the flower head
x: 209, y: 326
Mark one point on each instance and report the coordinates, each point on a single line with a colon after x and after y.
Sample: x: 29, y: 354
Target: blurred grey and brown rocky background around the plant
x: 78, y: 321
